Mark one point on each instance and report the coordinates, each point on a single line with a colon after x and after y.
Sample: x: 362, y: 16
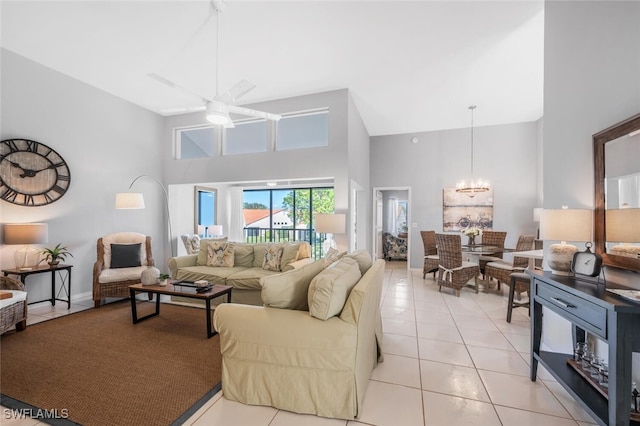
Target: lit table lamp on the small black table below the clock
x: 27, y: 257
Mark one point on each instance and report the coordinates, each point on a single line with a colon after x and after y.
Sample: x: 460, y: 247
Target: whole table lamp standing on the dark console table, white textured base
x: 564, y: 225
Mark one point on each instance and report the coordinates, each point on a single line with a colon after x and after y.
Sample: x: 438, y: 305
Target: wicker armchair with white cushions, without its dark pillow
x: 115, y: 282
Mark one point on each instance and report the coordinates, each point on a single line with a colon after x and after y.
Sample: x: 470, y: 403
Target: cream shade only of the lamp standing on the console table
x: 566, y: 224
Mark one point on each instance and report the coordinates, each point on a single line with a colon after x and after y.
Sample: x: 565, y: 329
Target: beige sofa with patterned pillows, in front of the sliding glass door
x: 240, y: 265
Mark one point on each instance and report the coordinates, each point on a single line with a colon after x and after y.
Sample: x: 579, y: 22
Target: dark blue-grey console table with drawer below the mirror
x: 589, y: 308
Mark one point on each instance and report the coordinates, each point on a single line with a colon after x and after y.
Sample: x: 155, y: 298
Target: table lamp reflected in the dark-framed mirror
x: 623, y: 226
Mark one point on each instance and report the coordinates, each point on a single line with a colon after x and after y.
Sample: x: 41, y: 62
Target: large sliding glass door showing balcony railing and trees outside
x: 279, y: 215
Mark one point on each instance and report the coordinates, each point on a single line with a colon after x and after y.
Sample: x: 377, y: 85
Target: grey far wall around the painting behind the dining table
x: 505, y: 155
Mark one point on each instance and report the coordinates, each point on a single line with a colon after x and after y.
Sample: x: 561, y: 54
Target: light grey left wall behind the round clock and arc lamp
x: 106, y: 141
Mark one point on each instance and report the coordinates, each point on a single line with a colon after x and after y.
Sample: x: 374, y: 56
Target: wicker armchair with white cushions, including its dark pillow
x: 121, y: 258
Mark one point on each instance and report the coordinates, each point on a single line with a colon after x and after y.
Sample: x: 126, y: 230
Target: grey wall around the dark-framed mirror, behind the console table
x: 592, y: 64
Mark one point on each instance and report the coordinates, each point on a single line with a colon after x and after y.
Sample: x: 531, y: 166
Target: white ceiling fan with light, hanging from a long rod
x: 218, y: 107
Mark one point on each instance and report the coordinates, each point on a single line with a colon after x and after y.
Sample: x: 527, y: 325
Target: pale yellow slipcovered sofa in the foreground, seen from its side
x: 292, y: 360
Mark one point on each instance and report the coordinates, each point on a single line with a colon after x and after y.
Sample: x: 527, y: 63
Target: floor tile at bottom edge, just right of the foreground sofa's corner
x: 388, y: 404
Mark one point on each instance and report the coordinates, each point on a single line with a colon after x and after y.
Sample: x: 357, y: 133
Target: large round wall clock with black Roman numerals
x: 31, y: 173
